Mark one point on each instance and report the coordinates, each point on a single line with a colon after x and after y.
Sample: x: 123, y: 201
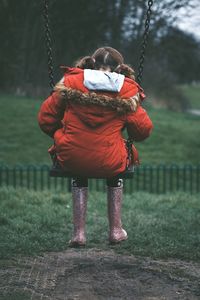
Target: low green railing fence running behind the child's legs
x: 154, y: 179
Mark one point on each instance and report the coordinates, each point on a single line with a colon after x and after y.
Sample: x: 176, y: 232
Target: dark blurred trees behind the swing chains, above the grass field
x: 79, y: 27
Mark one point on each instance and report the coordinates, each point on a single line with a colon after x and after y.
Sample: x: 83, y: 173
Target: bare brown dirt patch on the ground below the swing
x: 95, y: 274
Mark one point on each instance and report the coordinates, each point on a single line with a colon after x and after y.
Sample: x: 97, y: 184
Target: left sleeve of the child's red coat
x: 51, y: 114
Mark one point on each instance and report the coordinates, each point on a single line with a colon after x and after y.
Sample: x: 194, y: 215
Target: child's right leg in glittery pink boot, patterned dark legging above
x: 114, y: 197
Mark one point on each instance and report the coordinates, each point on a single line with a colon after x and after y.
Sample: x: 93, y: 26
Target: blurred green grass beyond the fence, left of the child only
x: 21, y: 139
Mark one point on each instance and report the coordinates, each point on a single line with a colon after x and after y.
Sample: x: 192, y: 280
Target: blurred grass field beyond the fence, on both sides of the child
x: 174, y: 138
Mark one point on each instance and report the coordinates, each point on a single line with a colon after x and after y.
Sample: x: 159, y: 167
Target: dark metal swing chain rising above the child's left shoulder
x: 48, y: 43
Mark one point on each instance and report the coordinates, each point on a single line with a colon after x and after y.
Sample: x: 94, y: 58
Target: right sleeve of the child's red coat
x: 139, y: 125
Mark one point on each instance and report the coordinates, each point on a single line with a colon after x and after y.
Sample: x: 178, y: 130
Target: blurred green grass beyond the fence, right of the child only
x: 174, y: 139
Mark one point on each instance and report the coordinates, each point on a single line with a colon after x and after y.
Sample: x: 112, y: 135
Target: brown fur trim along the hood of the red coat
x: 120, y: 105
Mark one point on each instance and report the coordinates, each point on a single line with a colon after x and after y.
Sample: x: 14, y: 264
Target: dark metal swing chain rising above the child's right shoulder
x: 144, y: 42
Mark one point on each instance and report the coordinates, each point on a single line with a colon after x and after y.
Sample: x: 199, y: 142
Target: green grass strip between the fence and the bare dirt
x: 158, y: 226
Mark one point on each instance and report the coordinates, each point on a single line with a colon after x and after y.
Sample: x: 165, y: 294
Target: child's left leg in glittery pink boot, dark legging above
x: 79, y: 198
